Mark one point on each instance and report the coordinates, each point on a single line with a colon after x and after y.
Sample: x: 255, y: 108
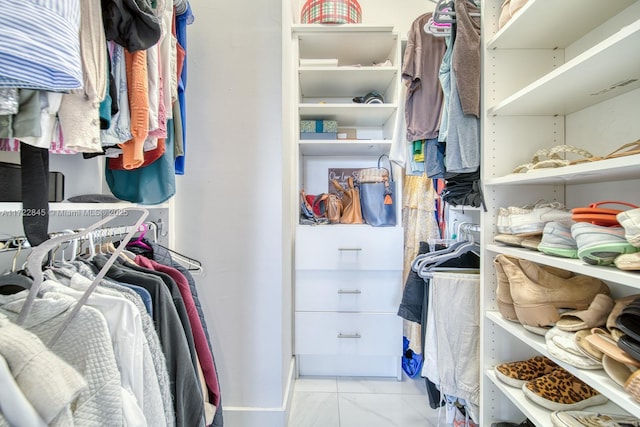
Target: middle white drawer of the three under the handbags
x: 352, y: 290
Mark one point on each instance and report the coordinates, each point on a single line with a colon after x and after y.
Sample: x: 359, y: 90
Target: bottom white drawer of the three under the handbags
x: 348, y: 334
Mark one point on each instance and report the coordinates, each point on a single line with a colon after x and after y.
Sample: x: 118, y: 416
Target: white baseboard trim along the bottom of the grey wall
x: 250, y: 416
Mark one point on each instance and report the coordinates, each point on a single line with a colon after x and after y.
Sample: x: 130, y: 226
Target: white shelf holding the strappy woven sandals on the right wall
x: 616, y: 169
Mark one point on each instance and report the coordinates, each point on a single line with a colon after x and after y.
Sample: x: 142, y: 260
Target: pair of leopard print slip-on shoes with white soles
x: 549, y: 385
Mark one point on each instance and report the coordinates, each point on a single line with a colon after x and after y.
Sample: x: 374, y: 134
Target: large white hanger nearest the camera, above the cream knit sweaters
x: 35, y: 262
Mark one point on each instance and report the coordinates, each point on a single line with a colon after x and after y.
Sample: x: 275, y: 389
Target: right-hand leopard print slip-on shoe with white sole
x: 561, y: 391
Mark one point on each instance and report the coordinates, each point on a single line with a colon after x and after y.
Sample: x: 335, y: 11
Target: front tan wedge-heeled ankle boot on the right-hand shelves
x: 537, y: 294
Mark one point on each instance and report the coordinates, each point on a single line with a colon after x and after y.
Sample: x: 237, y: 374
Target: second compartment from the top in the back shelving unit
x: 333, y: 82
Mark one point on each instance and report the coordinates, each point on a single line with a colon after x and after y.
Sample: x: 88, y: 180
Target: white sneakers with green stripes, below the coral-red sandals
x: 600, y: 245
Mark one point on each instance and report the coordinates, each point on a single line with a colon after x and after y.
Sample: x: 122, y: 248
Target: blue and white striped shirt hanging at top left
x: 39, y: 44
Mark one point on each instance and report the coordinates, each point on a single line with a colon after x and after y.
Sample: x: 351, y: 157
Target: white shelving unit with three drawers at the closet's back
x: 348, y: 278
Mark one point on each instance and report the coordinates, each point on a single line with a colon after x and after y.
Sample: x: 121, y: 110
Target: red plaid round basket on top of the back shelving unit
x: 331, y: 12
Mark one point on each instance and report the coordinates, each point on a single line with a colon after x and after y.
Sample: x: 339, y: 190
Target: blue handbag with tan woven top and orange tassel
x: 378, y: 195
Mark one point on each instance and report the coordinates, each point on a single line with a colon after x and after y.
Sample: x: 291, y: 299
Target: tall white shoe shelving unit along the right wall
x: 557, y: 73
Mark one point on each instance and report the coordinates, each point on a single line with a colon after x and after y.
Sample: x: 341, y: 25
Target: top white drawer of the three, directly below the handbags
x: 349, y: 247
